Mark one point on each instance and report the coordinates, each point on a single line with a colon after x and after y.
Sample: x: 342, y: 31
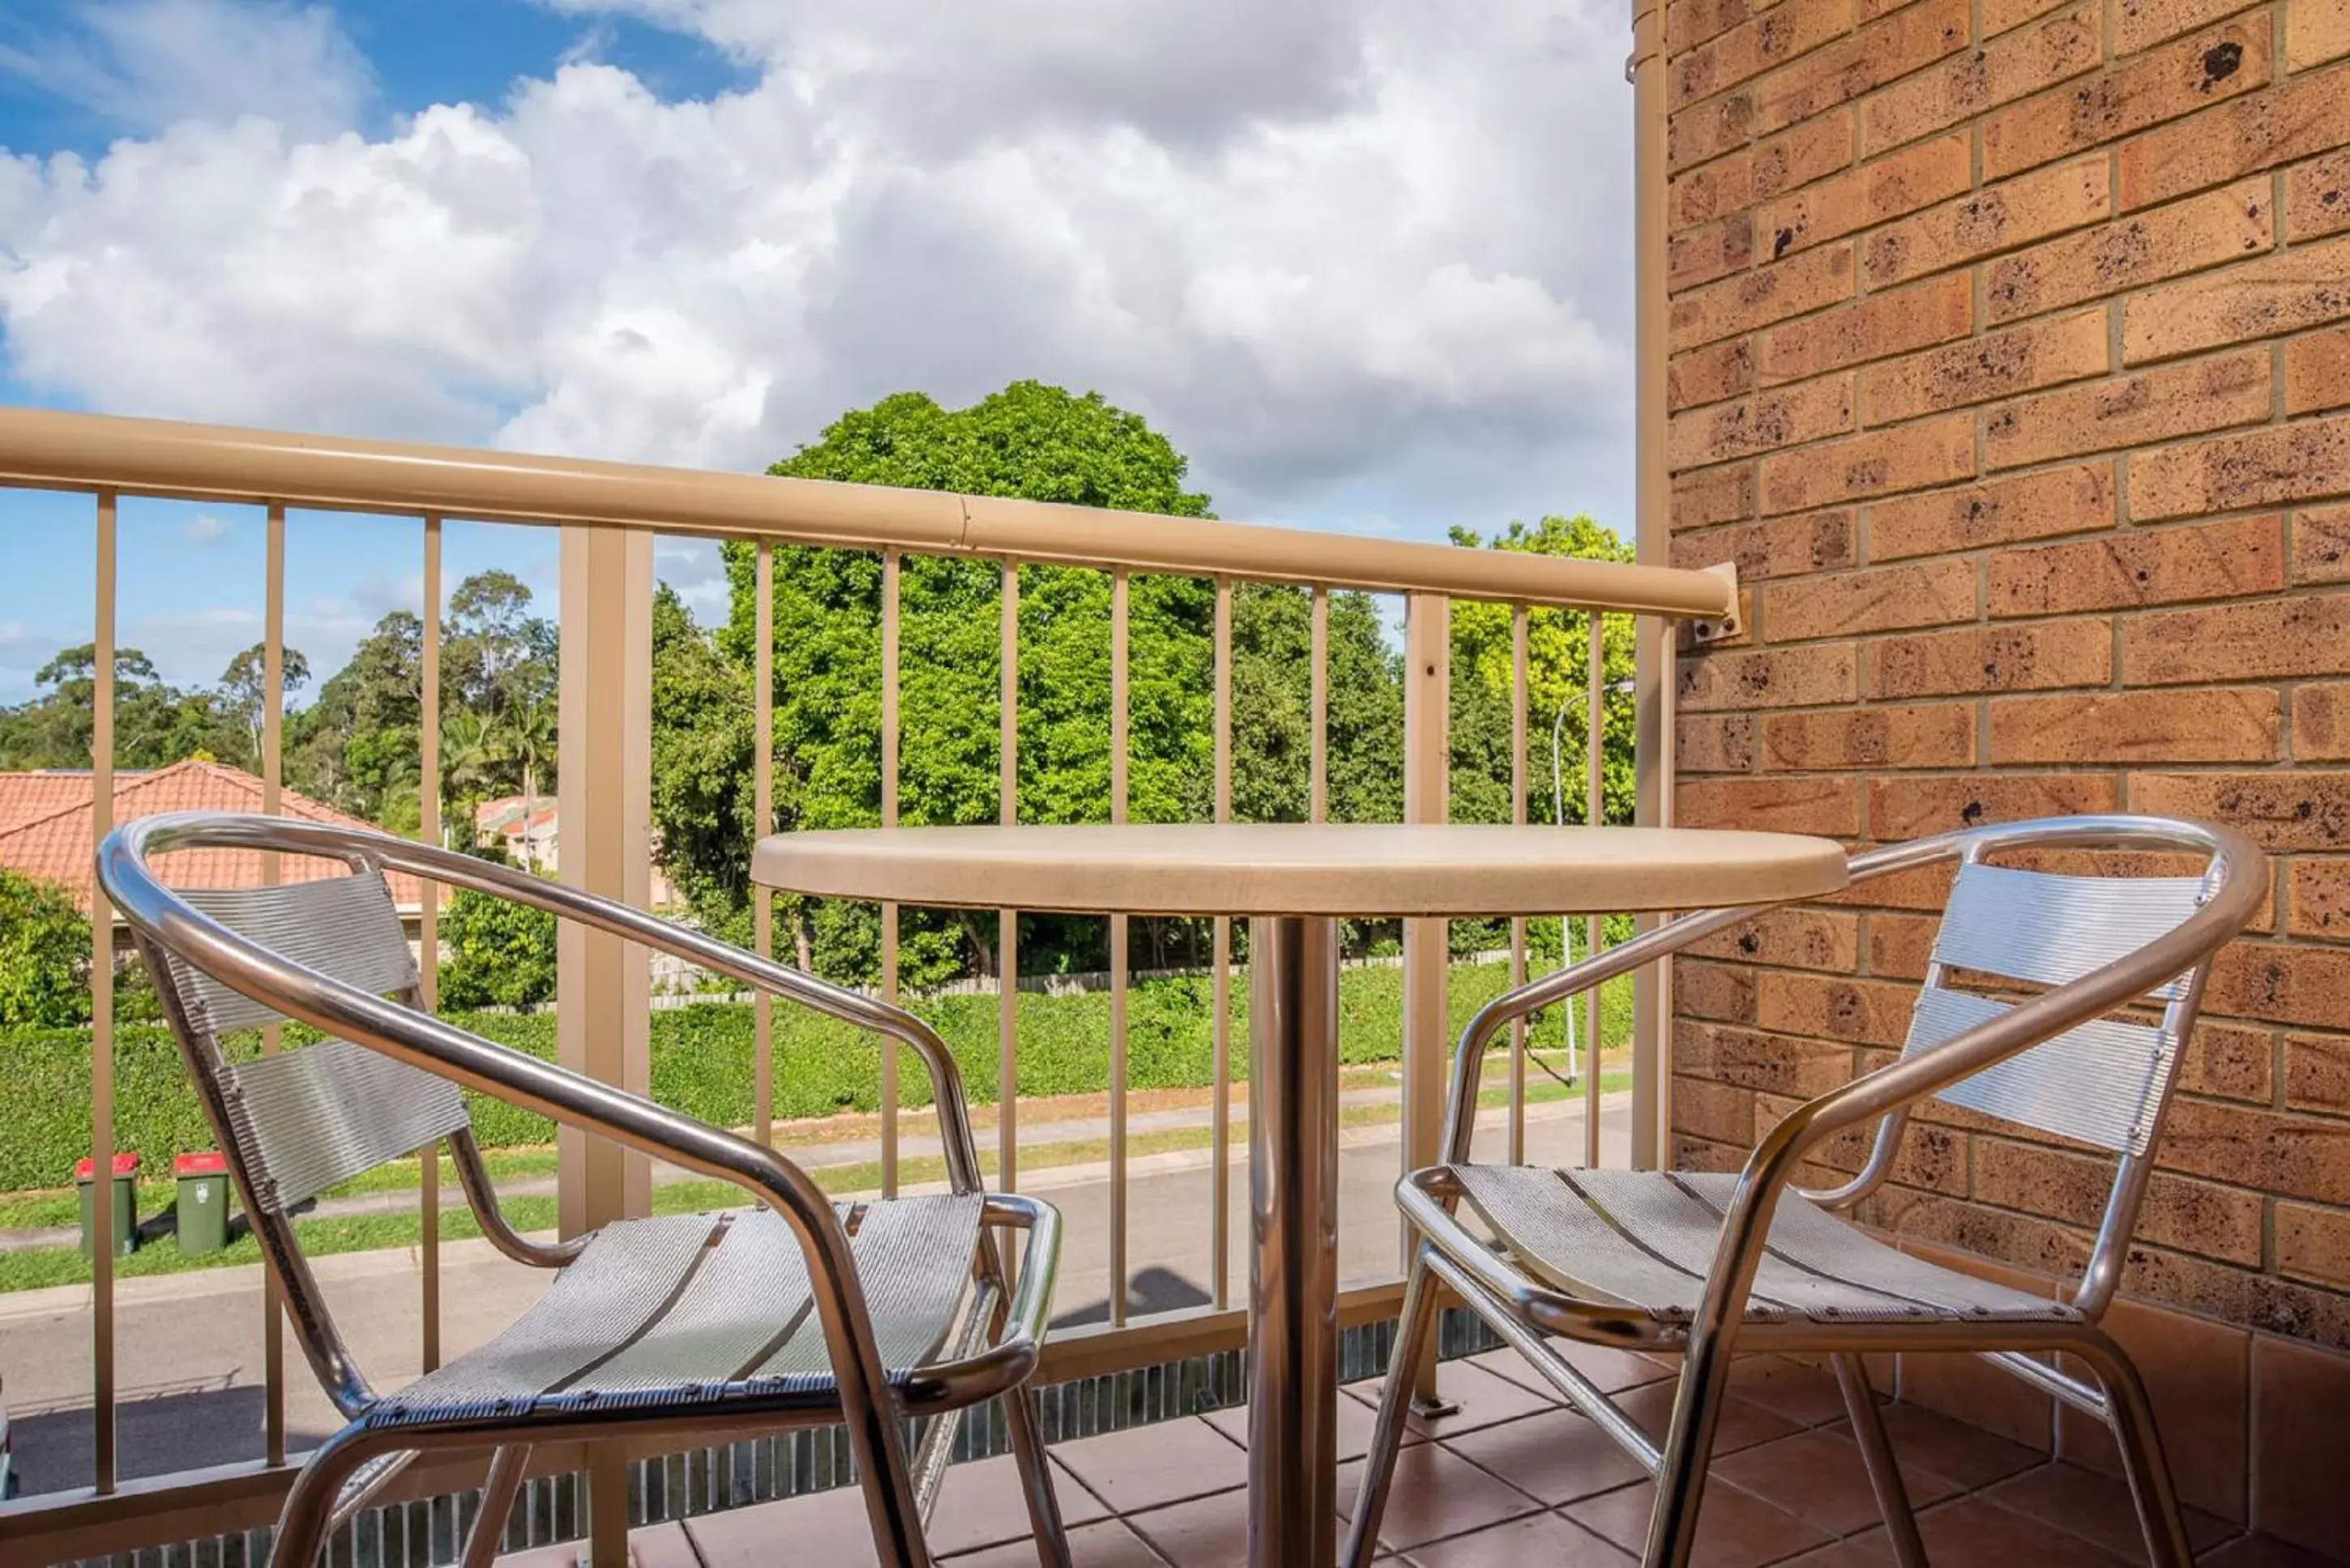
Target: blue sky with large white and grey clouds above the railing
x: 1364, y: 264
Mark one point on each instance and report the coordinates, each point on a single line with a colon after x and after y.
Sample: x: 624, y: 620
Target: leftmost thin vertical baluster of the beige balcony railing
x: 102, y: 1019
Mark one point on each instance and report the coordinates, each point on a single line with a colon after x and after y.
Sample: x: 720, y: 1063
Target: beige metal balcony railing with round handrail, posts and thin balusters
x: 610, y: 516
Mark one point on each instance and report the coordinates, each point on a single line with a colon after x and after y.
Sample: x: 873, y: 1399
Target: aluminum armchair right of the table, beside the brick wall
x: 1703, y: 1266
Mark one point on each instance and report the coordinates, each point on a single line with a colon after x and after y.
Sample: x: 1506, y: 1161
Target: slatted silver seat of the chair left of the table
x: 706, y: 1306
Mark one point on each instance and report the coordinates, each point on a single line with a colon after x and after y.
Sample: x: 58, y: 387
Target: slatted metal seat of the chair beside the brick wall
x: 1646, y: 1240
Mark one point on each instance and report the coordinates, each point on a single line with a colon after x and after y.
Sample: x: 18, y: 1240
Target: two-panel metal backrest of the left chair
x: 309, y: 1118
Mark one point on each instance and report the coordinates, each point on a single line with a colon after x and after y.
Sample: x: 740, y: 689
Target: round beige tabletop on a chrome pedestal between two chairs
x: 1296, y: 869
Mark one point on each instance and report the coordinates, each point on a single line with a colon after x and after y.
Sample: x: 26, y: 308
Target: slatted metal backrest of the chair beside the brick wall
x: 2104, y: 1083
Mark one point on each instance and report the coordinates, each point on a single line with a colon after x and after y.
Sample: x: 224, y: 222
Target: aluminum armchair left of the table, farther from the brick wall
x: 687, y: 1329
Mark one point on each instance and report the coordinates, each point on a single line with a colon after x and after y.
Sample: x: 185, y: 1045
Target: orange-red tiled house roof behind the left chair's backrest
x: 46, y: 829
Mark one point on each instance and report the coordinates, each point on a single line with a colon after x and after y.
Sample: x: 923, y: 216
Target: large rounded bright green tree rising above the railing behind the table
x: 1028, y: 441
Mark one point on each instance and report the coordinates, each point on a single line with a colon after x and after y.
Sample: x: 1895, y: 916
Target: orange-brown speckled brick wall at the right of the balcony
x: 2013, y: 368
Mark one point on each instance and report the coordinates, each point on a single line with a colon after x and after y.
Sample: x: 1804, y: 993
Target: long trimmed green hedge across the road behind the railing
x: 701, y: 1061
